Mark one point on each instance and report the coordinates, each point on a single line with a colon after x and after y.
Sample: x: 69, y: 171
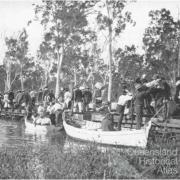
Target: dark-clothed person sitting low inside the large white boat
x: 107, y: 123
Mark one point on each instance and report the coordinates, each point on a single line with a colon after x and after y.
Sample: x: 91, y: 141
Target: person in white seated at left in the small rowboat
x: 41, y: 119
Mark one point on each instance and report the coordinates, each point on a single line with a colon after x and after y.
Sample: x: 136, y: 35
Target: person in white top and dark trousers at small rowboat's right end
x: 55, y: 111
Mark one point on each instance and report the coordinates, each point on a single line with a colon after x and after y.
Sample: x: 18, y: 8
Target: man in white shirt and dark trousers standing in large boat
x: 122, y: 102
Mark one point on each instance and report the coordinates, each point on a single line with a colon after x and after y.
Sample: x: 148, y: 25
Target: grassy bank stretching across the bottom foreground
x: 53, y: 162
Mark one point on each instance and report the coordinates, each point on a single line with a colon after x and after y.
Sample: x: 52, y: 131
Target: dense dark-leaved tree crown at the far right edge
x: 161, y: 43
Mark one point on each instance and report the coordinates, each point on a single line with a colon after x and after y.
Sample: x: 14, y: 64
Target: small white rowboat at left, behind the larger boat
x: 40, y: 129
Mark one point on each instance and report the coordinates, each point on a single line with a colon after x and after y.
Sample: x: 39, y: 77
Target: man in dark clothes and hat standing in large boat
x: 141, y: 94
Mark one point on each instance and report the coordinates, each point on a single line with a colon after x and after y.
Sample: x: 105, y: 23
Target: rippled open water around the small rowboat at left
x: 13, y: 133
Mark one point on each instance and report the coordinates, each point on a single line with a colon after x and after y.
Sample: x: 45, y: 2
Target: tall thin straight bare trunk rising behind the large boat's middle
x: 110, y: 56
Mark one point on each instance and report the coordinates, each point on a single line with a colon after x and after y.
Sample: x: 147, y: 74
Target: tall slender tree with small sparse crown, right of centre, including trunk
x: 112, y: 20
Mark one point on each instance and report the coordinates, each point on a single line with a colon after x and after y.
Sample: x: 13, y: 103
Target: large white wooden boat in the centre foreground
x: 125, y: 137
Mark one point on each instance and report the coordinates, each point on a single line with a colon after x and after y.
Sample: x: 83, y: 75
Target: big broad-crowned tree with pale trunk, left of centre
x: 65, y: 25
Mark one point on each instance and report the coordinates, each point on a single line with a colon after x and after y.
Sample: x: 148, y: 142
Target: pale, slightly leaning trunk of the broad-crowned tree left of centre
x: 60, y: 59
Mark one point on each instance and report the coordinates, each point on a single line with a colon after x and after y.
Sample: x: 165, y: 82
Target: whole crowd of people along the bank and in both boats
x: 147, y: 98
